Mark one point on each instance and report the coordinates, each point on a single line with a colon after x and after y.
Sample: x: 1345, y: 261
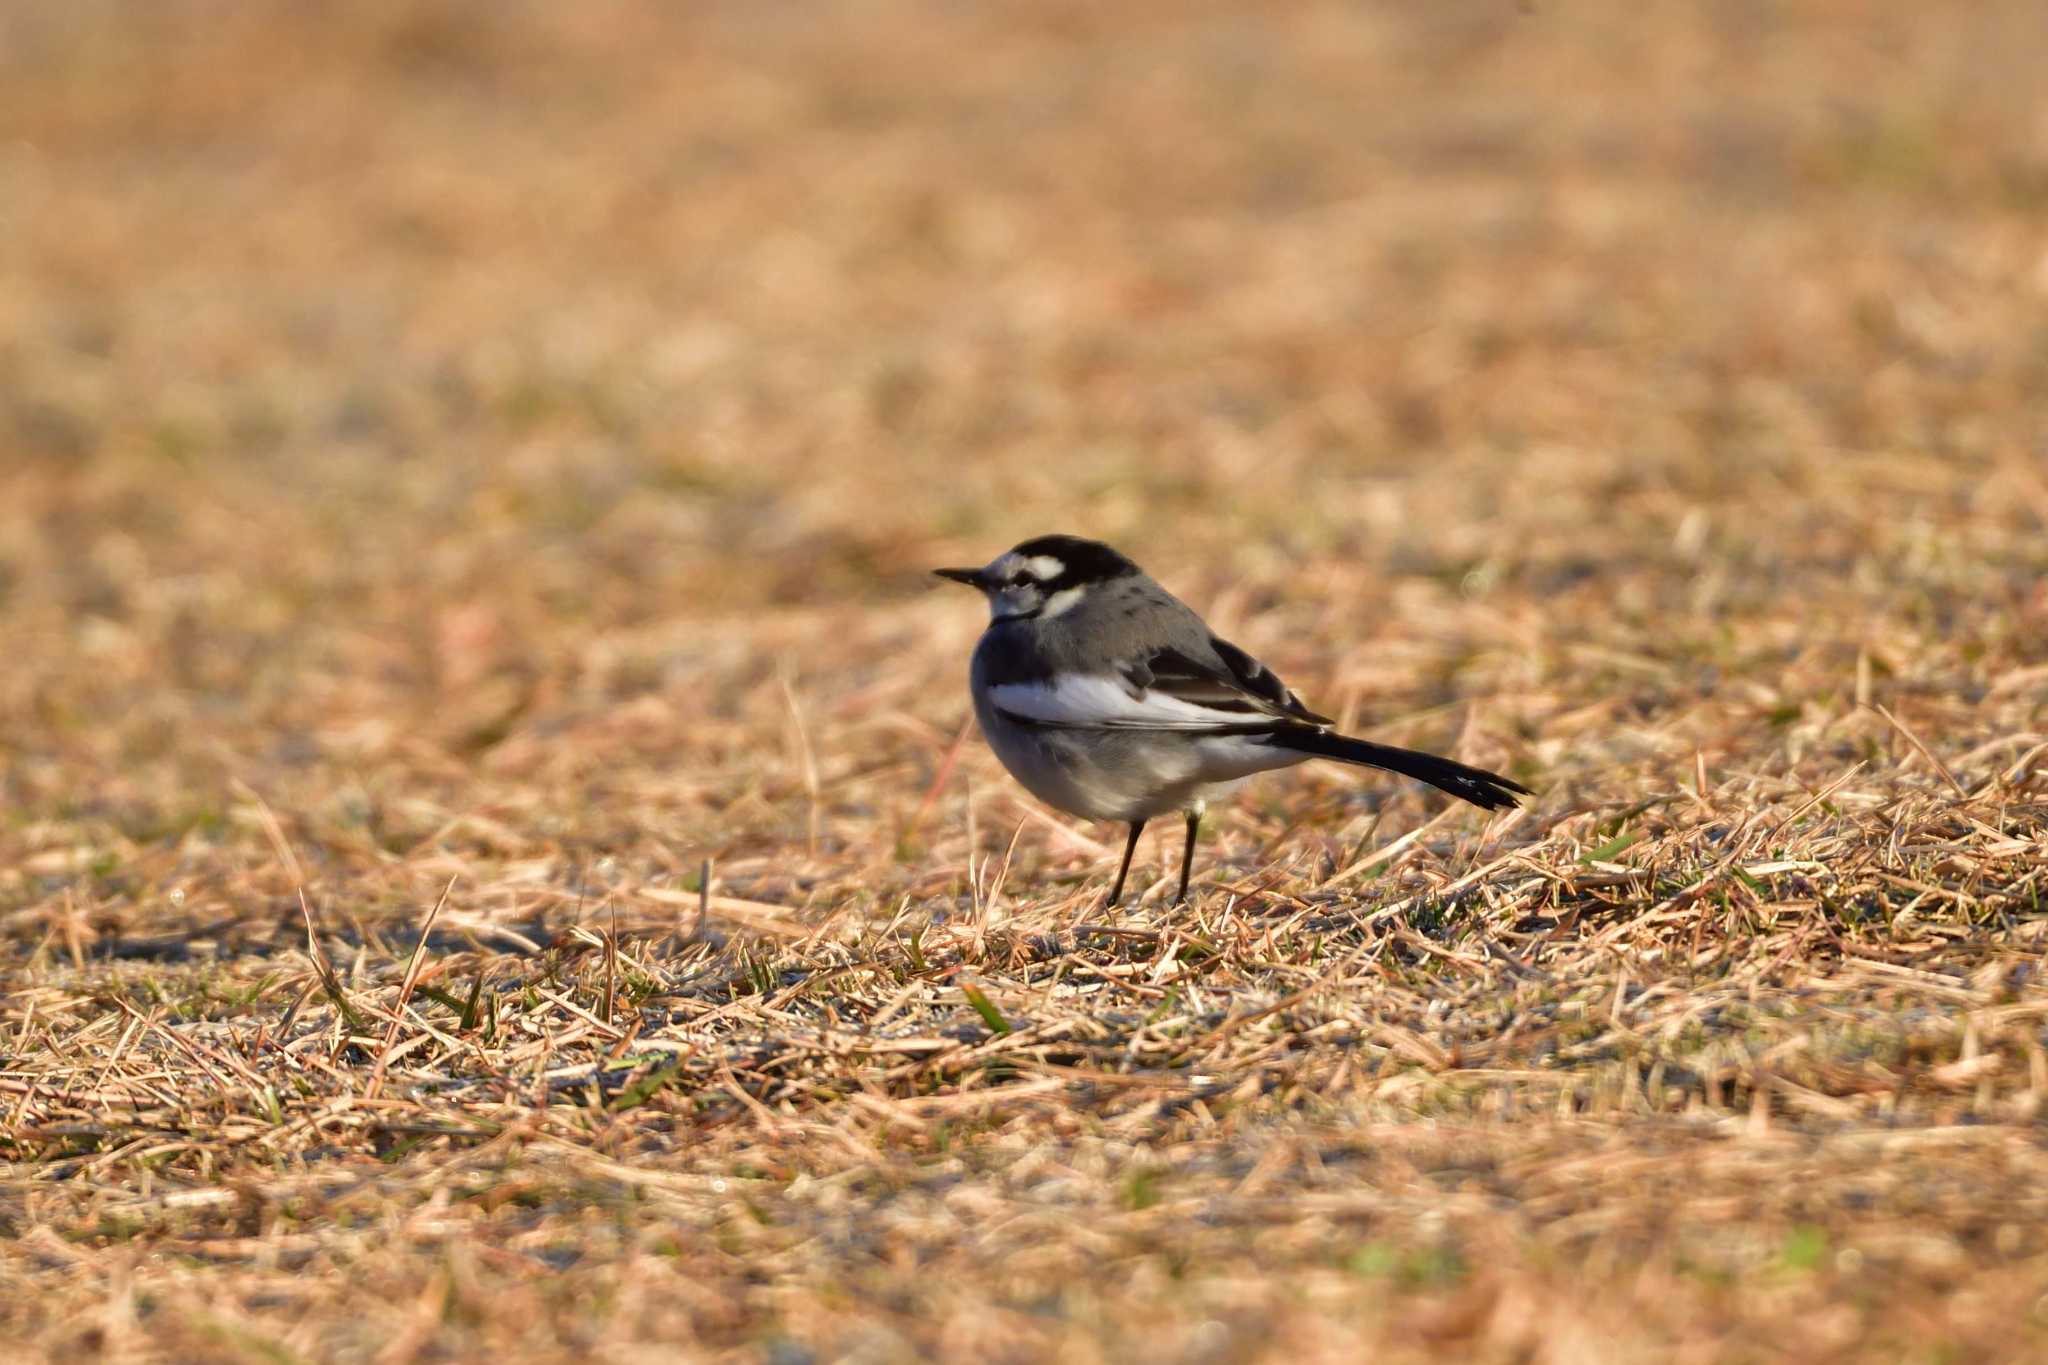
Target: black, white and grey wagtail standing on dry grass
x: 1109, y: 699
